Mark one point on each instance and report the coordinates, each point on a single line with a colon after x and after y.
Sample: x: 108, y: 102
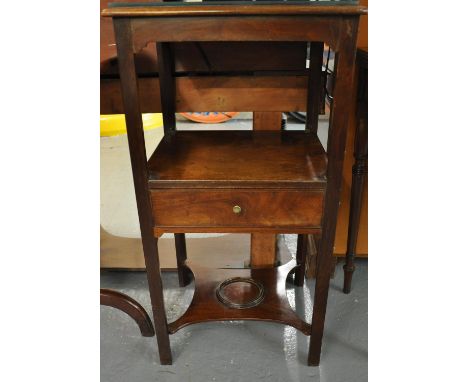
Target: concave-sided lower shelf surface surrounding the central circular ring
x: 206, y: 307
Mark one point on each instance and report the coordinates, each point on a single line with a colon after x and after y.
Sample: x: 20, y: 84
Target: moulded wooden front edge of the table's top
x: 280, y: 9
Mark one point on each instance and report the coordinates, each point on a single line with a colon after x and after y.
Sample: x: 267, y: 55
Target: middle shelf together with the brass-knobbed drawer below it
x: 238, y: 181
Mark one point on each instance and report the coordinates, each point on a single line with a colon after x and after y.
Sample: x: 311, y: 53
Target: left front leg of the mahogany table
x: 136, y: 143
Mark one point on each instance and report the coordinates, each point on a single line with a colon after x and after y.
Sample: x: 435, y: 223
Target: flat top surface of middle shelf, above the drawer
x: 238, y: 159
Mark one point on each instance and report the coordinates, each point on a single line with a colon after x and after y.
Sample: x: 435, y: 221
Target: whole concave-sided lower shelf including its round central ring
x: 259, y: 294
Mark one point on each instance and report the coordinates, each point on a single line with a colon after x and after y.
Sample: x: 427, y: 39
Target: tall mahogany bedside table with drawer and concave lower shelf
x: 236, y: 181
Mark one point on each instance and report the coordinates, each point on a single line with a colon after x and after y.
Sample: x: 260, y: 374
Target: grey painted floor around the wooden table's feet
x: 236, y: 351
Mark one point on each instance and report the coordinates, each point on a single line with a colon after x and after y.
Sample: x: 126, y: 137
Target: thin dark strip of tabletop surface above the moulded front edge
x: 235, y: 2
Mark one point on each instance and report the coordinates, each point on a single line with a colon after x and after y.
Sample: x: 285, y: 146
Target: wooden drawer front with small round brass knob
x: 237, y: 208
